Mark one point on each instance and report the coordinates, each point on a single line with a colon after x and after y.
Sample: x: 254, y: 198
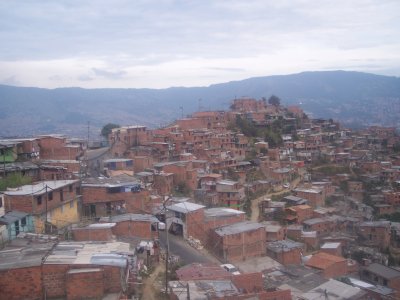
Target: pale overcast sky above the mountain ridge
x: 158, y: 44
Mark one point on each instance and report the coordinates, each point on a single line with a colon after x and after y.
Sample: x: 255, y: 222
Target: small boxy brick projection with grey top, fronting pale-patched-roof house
x: 88, y: 284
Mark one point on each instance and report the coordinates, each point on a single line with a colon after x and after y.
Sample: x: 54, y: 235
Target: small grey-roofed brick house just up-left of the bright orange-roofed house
x: 286, y: 252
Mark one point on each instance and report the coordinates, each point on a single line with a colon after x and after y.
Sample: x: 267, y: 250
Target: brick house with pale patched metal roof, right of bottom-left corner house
x: 86, y: 269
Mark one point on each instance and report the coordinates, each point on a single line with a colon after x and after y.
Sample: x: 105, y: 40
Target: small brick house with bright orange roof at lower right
x: 331, y: 265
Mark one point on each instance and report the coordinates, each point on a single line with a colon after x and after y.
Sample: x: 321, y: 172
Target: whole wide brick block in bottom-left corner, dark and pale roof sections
x: 67, y: 270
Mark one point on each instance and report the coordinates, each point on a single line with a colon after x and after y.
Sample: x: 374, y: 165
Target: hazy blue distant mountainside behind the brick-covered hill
x: 354, y: 98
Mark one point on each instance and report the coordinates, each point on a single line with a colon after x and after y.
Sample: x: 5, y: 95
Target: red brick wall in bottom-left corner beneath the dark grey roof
x: 21, y: 283
